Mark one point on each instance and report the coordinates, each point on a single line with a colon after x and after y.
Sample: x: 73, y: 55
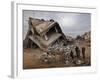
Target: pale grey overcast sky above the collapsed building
x: 72, y: 24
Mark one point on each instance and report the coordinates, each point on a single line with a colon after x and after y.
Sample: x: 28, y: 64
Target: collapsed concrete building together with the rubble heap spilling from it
x: 48, y: 36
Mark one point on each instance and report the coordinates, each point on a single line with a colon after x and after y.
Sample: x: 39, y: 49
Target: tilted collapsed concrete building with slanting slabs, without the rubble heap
x: 43, y: 33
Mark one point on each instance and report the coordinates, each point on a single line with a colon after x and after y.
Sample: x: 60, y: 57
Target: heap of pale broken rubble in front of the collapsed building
x: 59, y: 49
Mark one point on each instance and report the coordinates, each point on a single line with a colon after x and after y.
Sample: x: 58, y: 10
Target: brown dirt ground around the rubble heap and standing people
x: 32, y: 58
